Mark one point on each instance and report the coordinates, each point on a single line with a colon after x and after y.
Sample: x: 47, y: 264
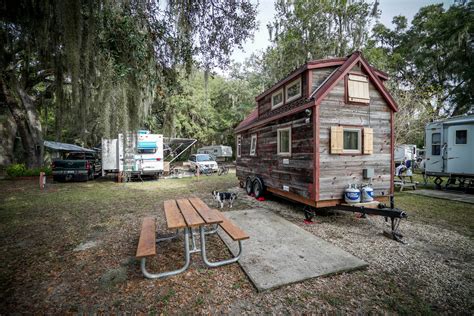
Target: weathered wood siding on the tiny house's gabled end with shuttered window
x: 337, y: 170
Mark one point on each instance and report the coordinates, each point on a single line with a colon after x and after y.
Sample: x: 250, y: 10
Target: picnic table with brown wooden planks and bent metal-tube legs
x: 192, y: 217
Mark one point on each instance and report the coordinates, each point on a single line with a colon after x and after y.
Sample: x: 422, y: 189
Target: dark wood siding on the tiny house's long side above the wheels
x: 298, y: 173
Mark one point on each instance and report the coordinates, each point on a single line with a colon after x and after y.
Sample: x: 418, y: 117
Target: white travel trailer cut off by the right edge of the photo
x: 449, y: 145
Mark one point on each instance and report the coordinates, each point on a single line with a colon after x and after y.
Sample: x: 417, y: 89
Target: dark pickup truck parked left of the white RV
x: 77, y: 166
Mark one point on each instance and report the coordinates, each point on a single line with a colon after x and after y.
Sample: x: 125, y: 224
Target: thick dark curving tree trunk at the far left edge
x: 27, y: 121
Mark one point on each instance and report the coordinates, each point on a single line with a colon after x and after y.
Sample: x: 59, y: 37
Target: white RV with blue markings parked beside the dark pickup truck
x: 142, y: 155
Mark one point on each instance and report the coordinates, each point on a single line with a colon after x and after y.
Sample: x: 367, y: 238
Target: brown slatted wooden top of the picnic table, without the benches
x: 190, y: 212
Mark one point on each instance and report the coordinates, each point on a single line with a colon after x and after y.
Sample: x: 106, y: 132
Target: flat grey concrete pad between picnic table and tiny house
x: 279, y: 252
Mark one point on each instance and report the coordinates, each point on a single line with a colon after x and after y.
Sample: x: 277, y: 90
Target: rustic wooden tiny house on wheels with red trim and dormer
x: 327, y: 125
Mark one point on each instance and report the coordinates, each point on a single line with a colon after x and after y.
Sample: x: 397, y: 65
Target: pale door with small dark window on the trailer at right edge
x: 460, y: 149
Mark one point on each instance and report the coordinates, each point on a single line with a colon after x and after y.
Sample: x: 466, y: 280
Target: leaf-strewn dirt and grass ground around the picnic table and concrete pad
x: 70, y: 248
